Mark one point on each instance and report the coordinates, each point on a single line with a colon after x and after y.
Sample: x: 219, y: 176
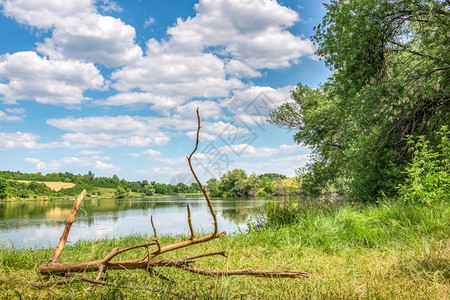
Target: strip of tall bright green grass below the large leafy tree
x: 331, y: 228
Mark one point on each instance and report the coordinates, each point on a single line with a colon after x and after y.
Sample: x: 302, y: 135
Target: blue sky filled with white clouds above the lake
x: 112, y: 87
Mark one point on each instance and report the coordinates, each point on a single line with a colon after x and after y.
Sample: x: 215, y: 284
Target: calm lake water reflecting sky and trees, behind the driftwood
x: 40, y: 224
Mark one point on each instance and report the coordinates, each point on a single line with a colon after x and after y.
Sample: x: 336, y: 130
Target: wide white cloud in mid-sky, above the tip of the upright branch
x: 176, y: 75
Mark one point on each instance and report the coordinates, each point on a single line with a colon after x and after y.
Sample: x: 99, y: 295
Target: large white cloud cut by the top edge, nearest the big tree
x: 252, y: 31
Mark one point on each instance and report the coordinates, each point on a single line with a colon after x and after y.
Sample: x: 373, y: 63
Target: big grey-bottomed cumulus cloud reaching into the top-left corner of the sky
x: 79, y: 31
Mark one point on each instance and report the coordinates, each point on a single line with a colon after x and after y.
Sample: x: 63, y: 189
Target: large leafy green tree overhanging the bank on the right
x: 391, y: 72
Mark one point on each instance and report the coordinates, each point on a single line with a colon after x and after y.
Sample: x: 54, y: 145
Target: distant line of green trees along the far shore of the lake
x: 233, y: 183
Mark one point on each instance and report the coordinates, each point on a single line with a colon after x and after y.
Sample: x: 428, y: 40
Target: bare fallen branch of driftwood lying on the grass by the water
x: 149, y: 262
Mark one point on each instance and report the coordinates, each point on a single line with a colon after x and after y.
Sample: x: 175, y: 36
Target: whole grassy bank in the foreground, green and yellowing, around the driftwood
x: 372, y: 252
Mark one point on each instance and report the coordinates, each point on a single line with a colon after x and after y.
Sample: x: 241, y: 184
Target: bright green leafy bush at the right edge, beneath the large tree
x: 428, y: 178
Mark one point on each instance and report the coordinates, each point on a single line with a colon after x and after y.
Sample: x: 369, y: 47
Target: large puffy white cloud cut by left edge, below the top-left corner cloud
x: 46, y: 81
